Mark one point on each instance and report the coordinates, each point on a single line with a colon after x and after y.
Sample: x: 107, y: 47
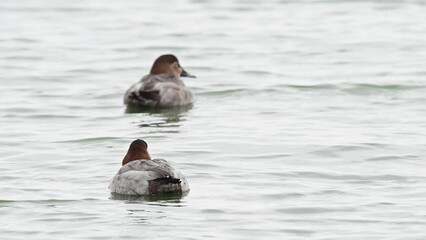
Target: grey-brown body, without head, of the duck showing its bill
x: 158, y: 90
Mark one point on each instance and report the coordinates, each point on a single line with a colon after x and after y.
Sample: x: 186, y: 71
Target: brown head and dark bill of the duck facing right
x: 169, y: 64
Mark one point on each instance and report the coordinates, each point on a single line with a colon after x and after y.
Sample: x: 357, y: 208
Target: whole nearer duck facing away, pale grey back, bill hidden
x: 142, y: 176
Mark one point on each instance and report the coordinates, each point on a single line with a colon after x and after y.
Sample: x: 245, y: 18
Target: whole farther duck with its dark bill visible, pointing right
x: 162, y: 87
